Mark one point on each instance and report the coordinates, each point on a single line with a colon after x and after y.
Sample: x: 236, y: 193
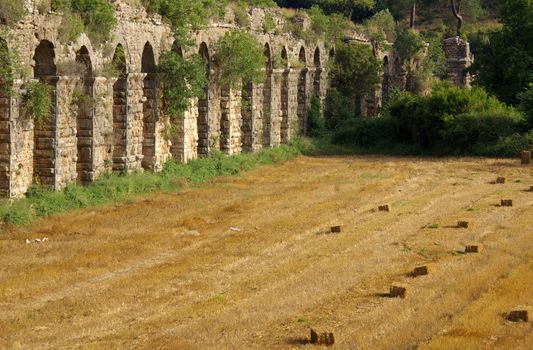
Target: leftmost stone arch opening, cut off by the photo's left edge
x: 5, y: 133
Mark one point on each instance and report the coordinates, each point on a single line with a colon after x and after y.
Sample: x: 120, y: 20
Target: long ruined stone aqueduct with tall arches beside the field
x: 123, y: 127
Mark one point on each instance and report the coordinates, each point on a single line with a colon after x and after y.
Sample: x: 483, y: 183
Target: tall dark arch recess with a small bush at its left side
x: 44, y: 152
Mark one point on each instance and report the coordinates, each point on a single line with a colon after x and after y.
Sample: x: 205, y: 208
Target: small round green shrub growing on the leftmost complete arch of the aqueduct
x: 38, y: 102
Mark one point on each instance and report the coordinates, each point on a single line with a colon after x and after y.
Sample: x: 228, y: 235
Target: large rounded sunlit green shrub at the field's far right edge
x: 428, y: 121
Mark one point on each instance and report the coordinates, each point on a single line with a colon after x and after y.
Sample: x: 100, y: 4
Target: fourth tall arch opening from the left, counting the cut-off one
x: 120, y: 110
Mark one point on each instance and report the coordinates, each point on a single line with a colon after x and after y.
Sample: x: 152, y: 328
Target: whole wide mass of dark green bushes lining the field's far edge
x: 450, y: 120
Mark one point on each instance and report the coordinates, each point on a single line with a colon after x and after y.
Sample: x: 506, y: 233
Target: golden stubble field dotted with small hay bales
x: 169, y: 272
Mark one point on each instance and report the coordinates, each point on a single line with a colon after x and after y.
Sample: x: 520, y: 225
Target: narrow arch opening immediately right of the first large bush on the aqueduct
x: 203, y: 106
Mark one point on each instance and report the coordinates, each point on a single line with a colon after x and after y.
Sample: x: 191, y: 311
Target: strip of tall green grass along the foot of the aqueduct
x: 114, y: 187
